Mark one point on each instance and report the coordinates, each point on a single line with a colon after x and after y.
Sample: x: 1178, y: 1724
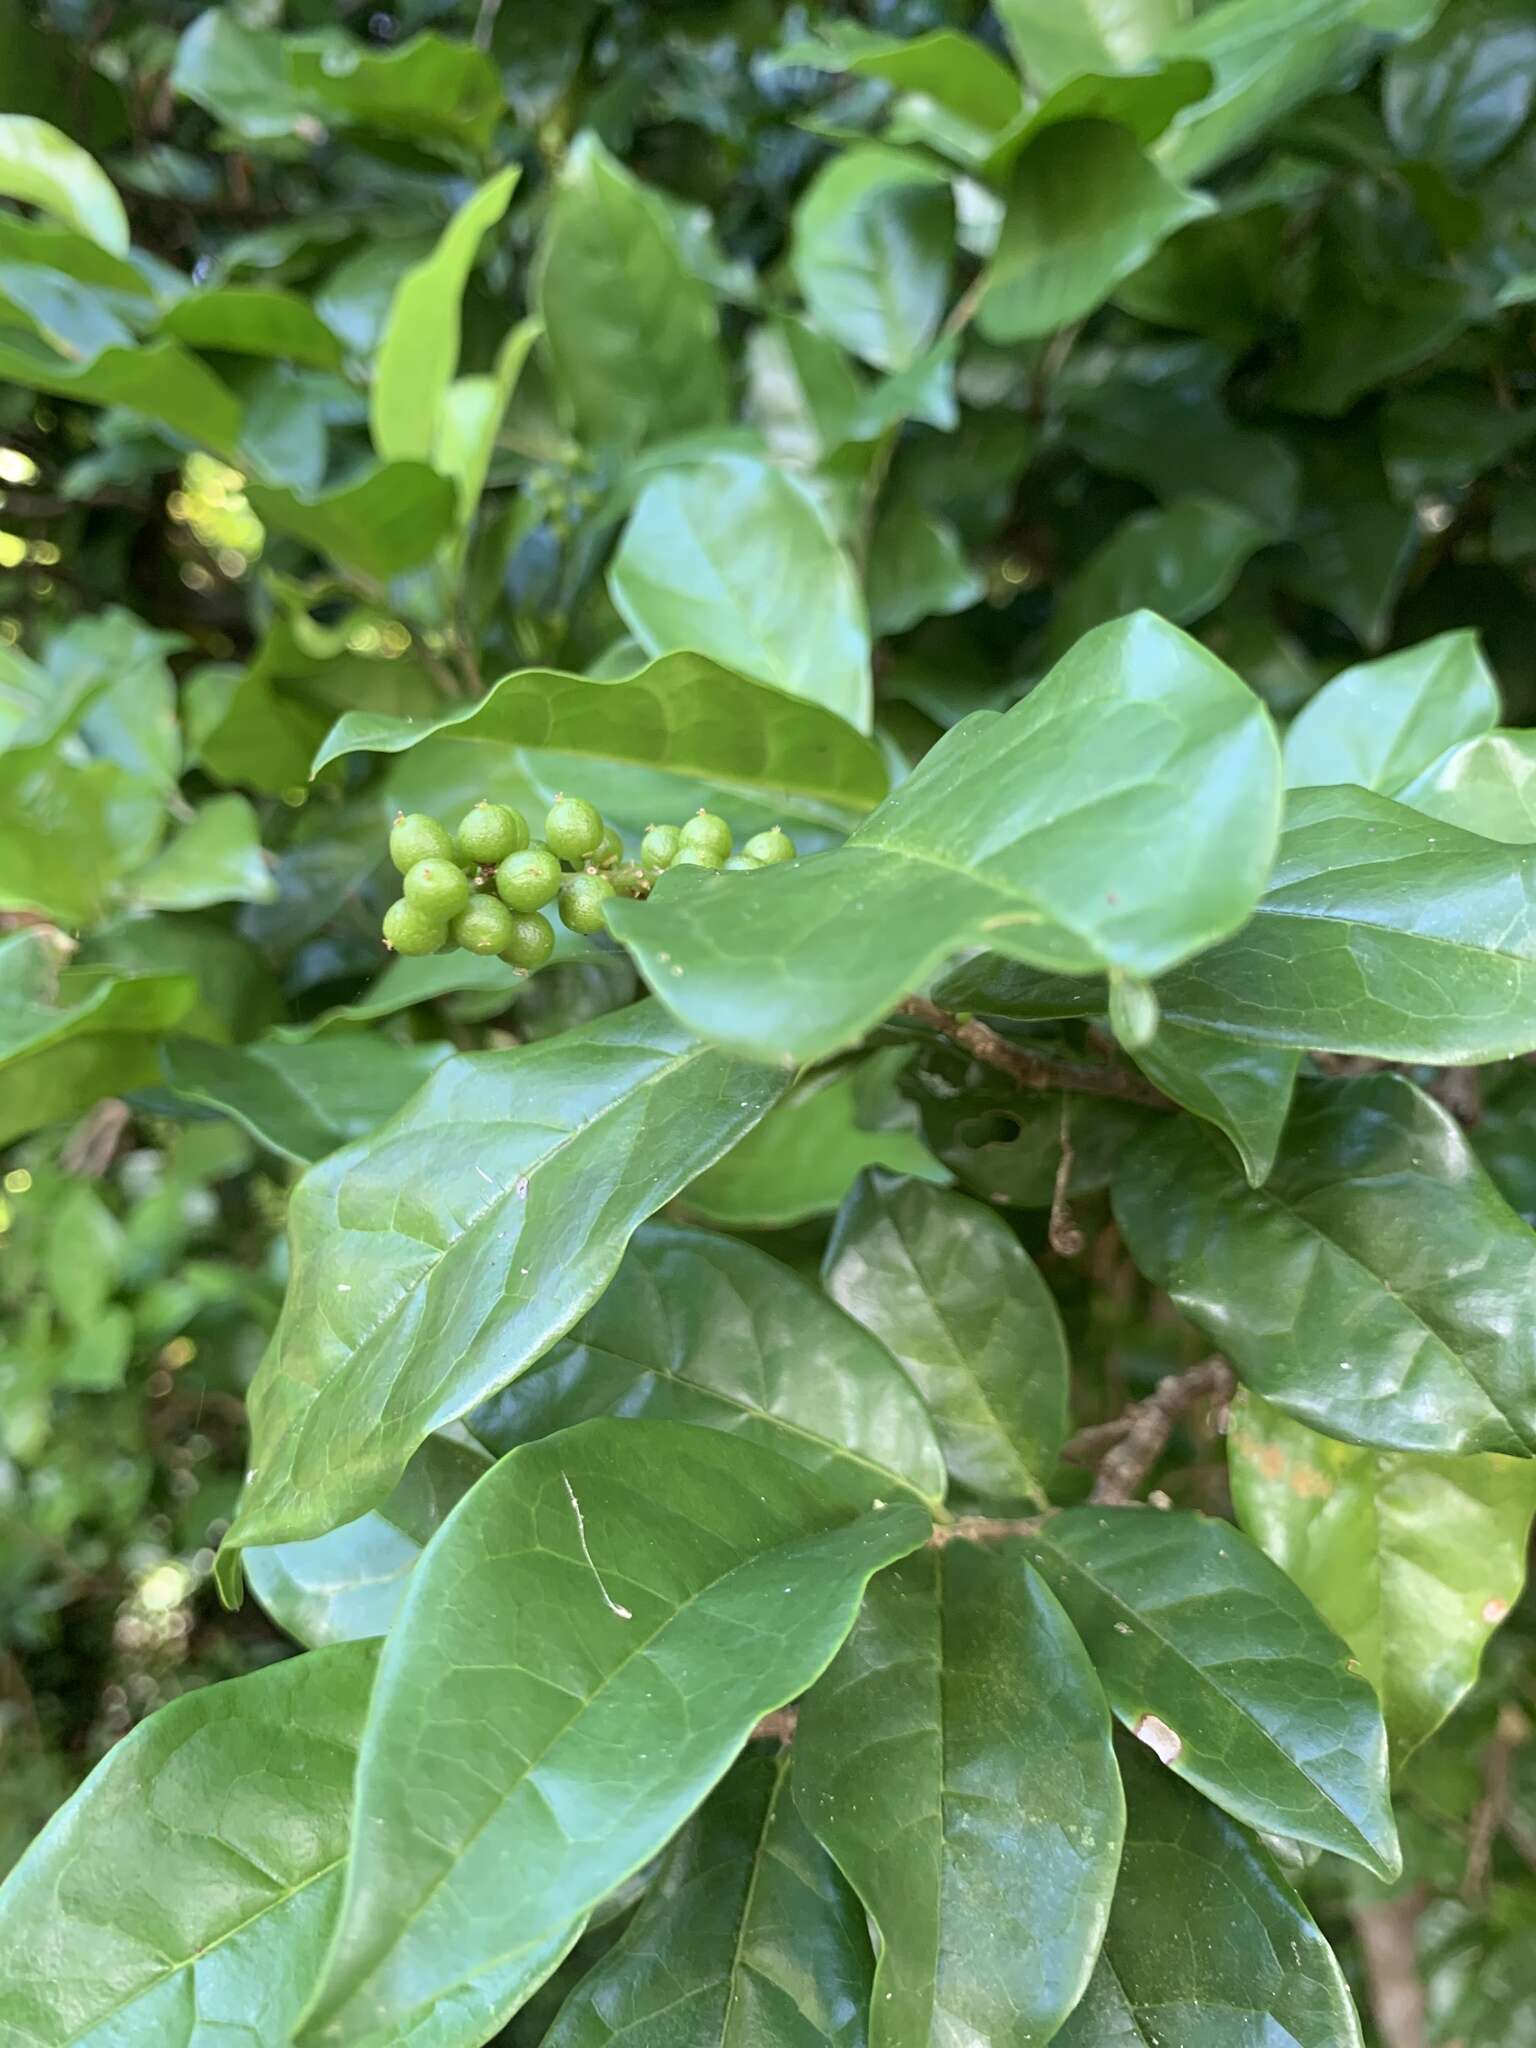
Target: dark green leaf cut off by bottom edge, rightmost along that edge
x: 1205, y: 1936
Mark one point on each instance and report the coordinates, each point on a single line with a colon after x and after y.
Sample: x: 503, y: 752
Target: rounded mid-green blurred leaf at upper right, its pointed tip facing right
x: 1084, y: 210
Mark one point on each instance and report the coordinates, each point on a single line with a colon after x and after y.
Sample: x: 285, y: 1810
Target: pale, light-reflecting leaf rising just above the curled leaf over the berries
x: 706, y: 560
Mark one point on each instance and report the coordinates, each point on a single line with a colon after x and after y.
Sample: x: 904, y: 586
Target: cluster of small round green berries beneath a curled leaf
x: 486, y: 886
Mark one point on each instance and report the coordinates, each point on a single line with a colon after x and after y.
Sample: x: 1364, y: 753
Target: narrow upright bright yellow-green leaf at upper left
x: 419, y: 349
